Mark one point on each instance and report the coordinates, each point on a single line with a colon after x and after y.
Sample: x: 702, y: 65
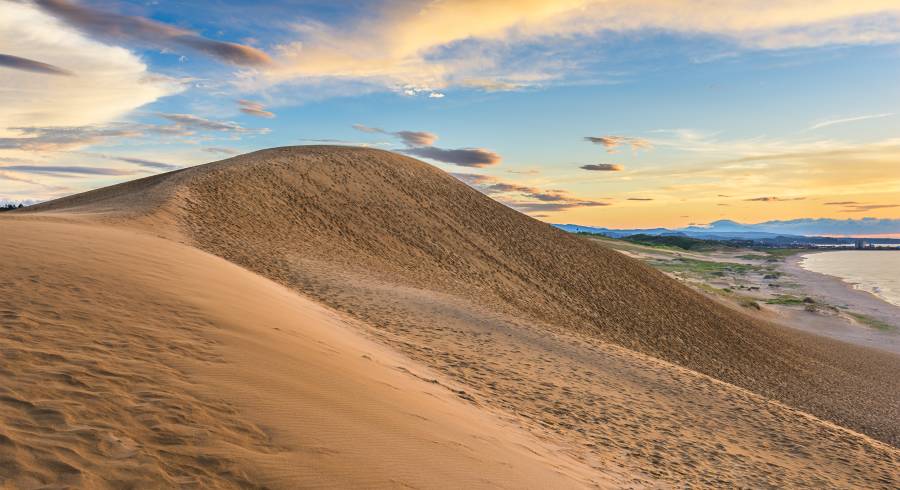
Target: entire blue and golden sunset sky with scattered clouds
x: 621, y: 114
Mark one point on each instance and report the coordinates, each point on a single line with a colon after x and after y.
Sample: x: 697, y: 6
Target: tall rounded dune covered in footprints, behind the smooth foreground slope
x: 520, y: 317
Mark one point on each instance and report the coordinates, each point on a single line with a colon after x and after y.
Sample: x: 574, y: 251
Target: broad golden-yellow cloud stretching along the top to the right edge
x: 505, y: 45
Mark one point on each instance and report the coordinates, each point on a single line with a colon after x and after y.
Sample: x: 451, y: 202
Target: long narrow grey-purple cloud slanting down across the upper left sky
x: 110, y: 25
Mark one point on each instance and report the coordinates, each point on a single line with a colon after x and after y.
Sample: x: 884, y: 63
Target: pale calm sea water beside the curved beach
x: 875, y: 271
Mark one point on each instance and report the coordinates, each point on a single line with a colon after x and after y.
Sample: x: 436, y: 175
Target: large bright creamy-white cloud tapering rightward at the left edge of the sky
x: 111, y: 81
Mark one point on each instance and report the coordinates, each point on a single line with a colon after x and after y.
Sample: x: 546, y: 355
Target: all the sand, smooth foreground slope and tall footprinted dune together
x: 459, y: 341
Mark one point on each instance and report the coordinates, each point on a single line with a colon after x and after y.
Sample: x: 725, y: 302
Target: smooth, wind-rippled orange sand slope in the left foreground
x: 134, y: 362
